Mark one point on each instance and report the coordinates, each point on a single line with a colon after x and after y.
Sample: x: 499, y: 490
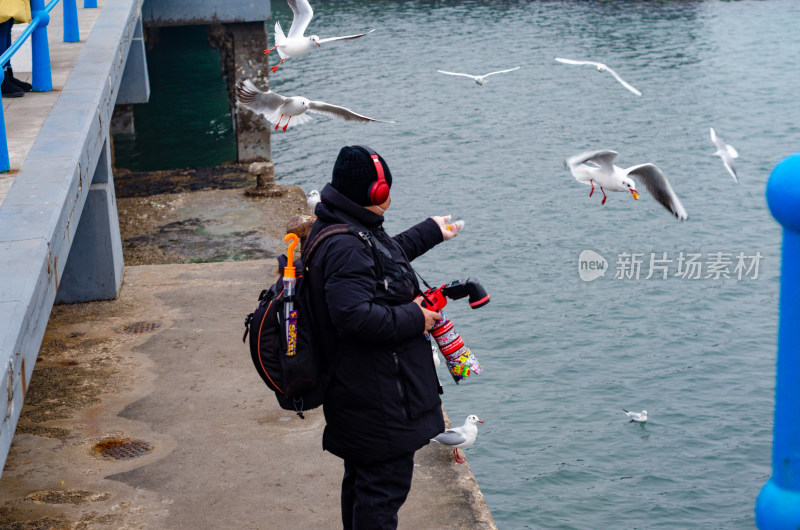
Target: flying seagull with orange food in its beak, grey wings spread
x: 597, y: 167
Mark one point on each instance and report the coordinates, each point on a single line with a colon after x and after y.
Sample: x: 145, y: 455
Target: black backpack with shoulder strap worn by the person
x: 299, y: 381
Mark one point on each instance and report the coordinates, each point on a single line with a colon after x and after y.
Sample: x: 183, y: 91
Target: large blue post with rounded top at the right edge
x: 778, y: 504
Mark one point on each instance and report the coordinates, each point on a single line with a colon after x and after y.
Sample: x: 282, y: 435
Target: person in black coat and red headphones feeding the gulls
x: 382, y: 402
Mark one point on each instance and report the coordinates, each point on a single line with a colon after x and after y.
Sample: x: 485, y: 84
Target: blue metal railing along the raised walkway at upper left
x: 40, y: 54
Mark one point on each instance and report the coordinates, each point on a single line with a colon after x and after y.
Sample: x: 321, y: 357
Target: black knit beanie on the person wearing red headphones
x: 354, y: 174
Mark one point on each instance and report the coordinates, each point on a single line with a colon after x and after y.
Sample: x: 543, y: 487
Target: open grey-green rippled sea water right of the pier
x: 562, y: 356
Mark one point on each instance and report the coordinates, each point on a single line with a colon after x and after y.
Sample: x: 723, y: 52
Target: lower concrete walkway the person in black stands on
x: 216, y: 450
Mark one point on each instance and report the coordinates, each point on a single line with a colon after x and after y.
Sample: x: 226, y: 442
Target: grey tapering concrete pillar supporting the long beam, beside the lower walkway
x: 94, y: 266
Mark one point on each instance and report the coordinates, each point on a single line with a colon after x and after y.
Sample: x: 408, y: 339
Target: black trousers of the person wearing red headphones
x: 372, y: 494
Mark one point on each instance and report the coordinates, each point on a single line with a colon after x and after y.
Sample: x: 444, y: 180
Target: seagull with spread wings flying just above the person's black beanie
x: 275, y: 107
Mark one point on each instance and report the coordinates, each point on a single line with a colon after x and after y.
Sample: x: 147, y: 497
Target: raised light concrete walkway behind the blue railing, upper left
x: 25, y: 116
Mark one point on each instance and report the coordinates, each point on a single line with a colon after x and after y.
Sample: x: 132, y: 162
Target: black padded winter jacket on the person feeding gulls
x: 383, y: 398
